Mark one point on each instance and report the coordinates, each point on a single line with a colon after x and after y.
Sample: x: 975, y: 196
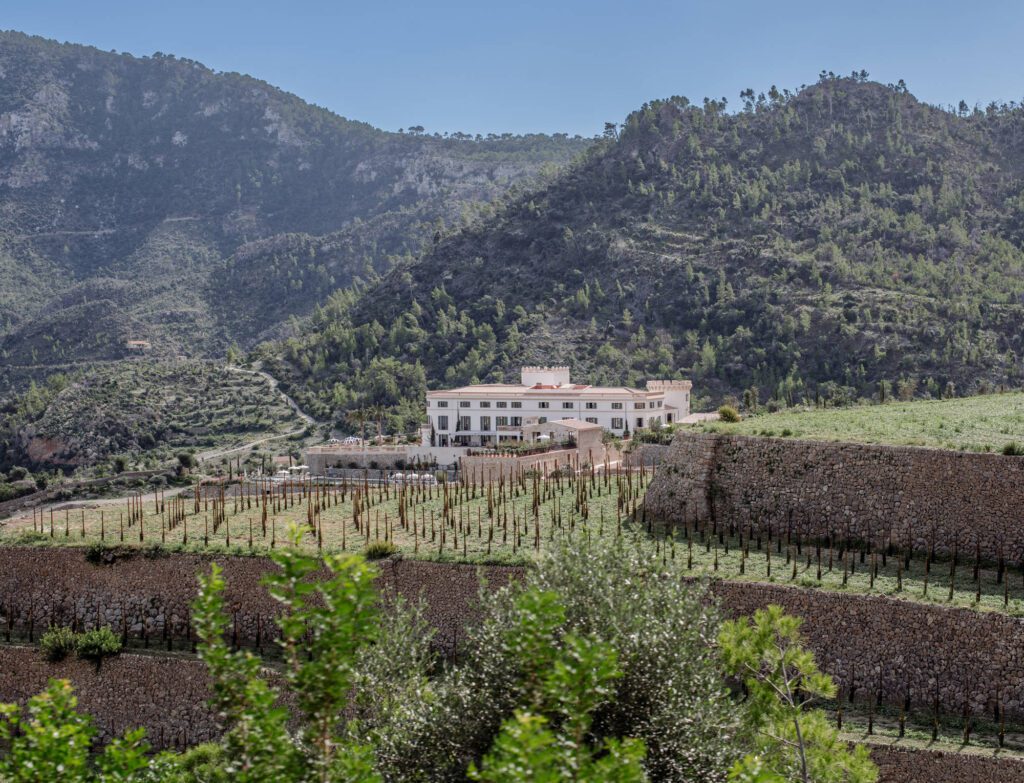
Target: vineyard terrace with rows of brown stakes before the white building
x: 476, y: 520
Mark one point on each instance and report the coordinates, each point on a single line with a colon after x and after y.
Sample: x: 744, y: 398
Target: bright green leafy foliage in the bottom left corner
x: 49, y: 741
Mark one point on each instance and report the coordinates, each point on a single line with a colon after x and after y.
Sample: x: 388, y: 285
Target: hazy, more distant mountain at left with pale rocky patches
x: 154, y: 199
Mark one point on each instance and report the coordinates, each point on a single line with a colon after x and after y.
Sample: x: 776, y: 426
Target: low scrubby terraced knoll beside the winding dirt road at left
x: 142, y: 412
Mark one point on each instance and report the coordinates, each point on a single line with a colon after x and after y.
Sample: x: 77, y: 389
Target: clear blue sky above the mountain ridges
x: 558, y: 66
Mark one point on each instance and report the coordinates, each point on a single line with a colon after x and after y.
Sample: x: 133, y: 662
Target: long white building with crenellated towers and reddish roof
x: 484, y: 414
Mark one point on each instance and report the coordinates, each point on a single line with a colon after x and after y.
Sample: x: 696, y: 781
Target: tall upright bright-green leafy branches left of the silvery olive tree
x: 324, y: 627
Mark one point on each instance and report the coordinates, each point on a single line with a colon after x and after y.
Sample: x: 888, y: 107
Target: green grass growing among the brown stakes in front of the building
x: 471, y: 535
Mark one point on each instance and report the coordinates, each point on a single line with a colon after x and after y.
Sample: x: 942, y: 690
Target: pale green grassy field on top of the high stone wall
x: 973, y: 424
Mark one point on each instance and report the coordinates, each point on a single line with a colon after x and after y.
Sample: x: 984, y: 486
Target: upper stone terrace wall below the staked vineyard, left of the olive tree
x: 148, y: 598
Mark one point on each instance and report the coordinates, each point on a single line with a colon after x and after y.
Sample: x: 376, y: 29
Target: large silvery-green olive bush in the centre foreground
x: 669, y: 693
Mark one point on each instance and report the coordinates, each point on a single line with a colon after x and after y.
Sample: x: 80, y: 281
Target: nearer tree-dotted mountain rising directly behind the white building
x: 826, y: 245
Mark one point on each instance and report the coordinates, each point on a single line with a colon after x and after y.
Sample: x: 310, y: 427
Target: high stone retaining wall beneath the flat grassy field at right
x: 886, y: 495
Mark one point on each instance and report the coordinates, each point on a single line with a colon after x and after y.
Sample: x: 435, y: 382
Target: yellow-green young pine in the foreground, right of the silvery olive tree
x: 783, y: 681
